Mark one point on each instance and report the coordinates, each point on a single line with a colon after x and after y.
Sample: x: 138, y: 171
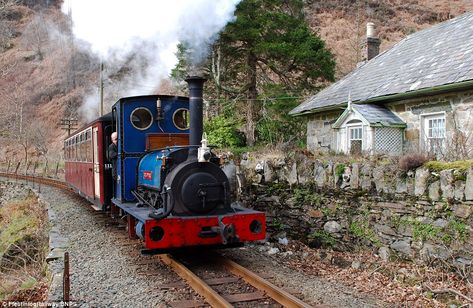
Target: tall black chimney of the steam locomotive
x: 196, y: 86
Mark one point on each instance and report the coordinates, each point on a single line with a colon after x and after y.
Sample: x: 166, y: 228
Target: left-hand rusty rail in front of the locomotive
x: 202, y: 288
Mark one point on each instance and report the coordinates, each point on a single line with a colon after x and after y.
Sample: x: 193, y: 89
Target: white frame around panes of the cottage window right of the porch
x: 426, y: 129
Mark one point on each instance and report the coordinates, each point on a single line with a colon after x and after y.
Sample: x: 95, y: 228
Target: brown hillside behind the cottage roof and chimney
x: 342, y: 23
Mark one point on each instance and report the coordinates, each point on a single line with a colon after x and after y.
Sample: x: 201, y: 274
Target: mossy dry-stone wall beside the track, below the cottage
x: 420, y: 215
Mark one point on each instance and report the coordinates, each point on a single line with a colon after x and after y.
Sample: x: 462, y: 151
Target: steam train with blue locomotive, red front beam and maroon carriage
x: 169, y: 185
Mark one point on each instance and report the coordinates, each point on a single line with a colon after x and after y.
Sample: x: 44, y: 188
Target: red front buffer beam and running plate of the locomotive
x: 243, y: 225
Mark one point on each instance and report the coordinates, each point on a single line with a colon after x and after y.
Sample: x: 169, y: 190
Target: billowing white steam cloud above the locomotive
x: 143, y: 34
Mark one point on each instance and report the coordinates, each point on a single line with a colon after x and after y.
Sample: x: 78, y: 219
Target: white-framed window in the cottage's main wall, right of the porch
x: 434, y: 133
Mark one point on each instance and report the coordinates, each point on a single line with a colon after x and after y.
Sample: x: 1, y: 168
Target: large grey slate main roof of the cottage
x: 440, y: 55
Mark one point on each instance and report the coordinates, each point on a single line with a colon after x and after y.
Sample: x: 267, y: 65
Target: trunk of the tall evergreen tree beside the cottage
x: 251, y: 110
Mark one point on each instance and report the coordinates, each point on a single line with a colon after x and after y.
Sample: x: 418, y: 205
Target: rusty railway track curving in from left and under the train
x: 262, y: 292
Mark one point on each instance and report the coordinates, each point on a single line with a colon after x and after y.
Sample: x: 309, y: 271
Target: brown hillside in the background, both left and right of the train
x: 45, y: 77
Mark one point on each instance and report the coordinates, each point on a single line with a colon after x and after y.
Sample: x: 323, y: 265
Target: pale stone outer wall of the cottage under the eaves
x: 458, y: 108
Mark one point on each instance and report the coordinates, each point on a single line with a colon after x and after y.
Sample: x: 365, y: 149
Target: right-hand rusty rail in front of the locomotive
x: 284, y: 298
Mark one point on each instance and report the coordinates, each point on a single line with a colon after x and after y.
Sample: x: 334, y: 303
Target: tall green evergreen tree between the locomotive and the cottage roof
x: 269, y: 42
